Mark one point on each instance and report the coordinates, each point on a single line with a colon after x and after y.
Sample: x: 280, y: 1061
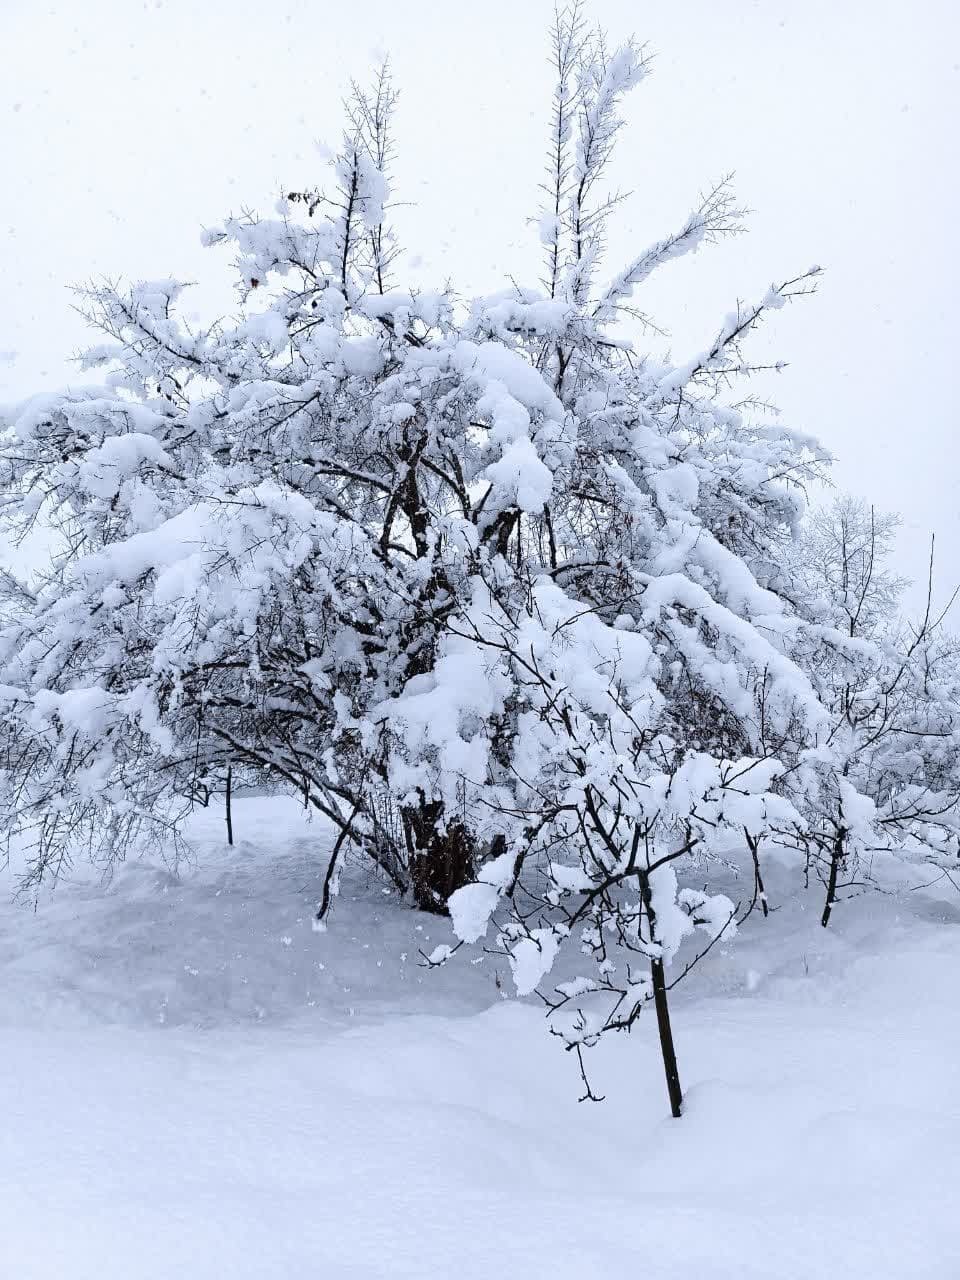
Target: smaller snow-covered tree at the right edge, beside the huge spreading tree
x: 888, y: 783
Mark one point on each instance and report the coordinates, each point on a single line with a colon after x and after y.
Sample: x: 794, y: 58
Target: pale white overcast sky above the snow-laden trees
x: 125, y: 127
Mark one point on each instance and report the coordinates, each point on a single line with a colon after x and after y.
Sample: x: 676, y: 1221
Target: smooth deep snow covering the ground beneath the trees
x: 196, y: 1085
